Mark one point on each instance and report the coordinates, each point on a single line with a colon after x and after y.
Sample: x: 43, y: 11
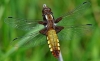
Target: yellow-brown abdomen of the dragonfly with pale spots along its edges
x: 53, y: 42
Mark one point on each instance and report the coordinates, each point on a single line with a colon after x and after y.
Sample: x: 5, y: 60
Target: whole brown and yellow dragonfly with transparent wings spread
x: 51, y: 30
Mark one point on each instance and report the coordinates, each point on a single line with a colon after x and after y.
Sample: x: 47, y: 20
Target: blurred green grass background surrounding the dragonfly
x: 87, y: 48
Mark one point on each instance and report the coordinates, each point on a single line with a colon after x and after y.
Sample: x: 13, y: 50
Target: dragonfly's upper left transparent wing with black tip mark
x: 21, y: 23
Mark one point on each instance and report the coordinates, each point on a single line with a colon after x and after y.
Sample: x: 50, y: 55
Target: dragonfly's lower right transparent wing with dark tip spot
x: 80, y: 30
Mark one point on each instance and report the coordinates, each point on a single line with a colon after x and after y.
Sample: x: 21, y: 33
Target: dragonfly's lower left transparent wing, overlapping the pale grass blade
x: 39, y: 39
